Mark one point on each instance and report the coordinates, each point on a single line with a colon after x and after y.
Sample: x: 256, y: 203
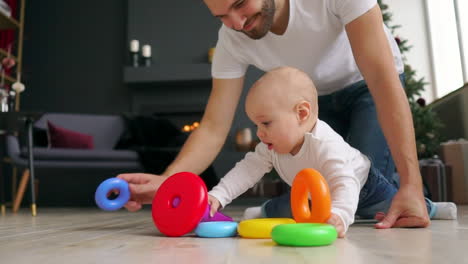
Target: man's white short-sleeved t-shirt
x: 315, y: 42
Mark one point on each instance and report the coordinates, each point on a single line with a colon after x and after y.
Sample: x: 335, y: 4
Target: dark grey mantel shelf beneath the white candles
x: 168, y: 73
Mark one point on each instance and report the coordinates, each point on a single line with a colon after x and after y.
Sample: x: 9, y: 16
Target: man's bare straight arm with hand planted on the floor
x: 375, y: 61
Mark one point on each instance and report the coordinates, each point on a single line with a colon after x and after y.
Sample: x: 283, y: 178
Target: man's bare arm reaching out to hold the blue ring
x: 201, y: 147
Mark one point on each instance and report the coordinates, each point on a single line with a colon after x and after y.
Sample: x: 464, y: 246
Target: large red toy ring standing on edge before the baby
x: 179, y: 204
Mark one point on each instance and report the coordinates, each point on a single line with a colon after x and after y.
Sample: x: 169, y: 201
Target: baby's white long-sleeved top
x: 344, y: 168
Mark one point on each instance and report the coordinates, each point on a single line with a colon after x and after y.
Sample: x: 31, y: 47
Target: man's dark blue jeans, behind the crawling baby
x: 351, y: 113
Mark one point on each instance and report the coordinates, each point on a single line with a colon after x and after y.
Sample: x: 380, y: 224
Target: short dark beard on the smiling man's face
x: 266, y: 15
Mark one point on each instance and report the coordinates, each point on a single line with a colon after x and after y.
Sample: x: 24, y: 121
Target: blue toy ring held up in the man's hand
x: 108, y: 185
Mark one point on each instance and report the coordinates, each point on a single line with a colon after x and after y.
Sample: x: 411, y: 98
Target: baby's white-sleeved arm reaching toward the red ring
x: 243, y: 176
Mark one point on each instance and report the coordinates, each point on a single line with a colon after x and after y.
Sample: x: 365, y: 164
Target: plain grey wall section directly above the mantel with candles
x: 179, y: 31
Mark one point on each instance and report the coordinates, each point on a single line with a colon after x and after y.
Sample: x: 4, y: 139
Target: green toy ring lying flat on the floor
x: 304, y: 234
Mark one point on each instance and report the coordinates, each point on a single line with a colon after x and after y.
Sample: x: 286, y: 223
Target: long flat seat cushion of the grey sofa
x: 81, y: 154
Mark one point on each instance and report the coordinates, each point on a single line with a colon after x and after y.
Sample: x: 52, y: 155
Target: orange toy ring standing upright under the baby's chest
x: 310, y: 181
